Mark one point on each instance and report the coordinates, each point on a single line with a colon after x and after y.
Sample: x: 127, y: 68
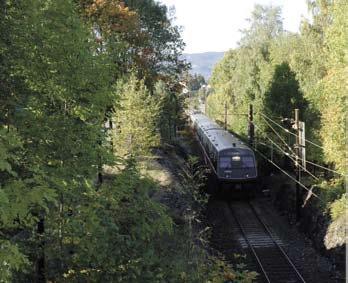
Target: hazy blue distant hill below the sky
x: 202, y: 63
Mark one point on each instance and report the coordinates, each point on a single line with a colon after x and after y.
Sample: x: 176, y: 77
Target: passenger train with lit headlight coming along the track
x: 229, y: 158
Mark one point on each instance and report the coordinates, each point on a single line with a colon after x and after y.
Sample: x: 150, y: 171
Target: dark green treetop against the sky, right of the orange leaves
x: 165, y: 43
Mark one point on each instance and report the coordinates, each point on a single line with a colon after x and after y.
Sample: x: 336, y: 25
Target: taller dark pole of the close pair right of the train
x: 297, y: 165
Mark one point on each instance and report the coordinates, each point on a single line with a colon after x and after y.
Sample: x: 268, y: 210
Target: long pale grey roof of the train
x: 220, y: 138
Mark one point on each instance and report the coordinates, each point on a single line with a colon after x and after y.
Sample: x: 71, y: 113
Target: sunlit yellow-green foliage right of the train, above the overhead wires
x: 278, y: 71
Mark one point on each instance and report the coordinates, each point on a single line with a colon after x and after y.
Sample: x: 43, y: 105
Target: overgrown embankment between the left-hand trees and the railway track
x: 169, y: 167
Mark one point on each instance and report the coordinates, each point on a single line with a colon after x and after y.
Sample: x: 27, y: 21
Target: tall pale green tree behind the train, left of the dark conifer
x: 242, y: 77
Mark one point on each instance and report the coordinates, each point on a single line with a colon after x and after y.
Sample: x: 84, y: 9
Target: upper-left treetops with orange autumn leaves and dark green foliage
x: 140, y: 36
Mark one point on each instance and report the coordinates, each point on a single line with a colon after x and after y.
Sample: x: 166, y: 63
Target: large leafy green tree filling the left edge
x: 55, y: 94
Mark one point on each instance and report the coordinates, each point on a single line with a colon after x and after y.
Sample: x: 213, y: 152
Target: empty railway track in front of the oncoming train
x: 275, y: 265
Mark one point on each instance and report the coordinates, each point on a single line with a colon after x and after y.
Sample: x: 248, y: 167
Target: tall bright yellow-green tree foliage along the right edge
x: 333, y: 100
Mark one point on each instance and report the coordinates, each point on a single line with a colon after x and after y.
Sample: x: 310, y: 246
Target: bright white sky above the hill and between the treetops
x: 214, y: 25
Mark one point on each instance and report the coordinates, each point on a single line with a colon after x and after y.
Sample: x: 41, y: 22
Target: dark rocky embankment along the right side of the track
x: 326, y: 234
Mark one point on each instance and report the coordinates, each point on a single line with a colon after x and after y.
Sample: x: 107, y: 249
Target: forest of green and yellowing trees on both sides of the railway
x: 91, y: 87
